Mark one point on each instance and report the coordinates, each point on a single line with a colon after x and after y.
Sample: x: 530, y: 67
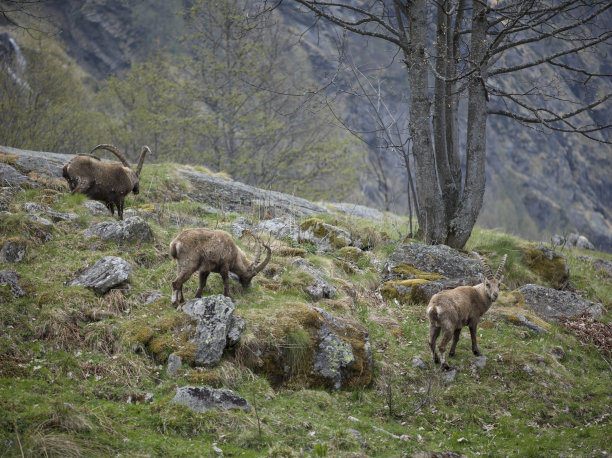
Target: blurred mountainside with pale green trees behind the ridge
x: 268, y: 100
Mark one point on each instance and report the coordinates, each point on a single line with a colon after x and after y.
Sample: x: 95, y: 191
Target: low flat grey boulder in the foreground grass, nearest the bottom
x: 202, y: 398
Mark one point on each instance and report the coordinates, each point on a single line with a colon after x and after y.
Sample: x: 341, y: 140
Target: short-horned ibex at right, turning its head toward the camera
x: 449, y: 311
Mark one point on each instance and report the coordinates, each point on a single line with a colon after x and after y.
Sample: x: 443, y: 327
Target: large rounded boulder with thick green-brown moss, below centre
x: 309, y: 346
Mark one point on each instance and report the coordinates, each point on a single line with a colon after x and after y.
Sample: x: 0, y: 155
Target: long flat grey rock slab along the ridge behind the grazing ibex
x: 234, y: 196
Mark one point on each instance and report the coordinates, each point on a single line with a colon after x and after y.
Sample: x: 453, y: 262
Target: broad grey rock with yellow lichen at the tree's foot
x: 436, y: 259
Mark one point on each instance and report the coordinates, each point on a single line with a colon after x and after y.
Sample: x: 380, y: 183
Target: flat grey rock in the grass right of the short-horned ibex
x: 551, y: 303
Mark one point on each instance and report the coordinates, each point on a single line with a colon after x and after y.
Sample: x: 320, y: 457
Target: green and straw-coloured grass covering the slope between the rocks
x: 65, y: 379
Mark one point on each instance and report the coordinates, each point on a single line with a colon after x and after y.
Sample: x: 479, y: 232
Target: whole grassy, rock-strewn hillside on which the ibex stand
x: 86, y: 373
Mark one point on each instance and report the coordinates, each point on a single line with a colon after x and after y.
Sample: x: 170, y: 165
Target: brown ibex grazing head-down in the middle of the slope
x: 208, y: 250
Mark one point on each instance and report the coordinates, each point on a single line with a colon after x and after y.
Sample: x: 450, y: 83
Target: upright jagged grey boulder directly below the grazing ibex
x: 216, y: 325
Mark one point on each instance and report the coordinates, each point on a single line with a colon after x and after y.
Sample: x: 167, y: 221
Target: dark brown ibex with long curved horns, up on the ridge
x: 108, y: 182
